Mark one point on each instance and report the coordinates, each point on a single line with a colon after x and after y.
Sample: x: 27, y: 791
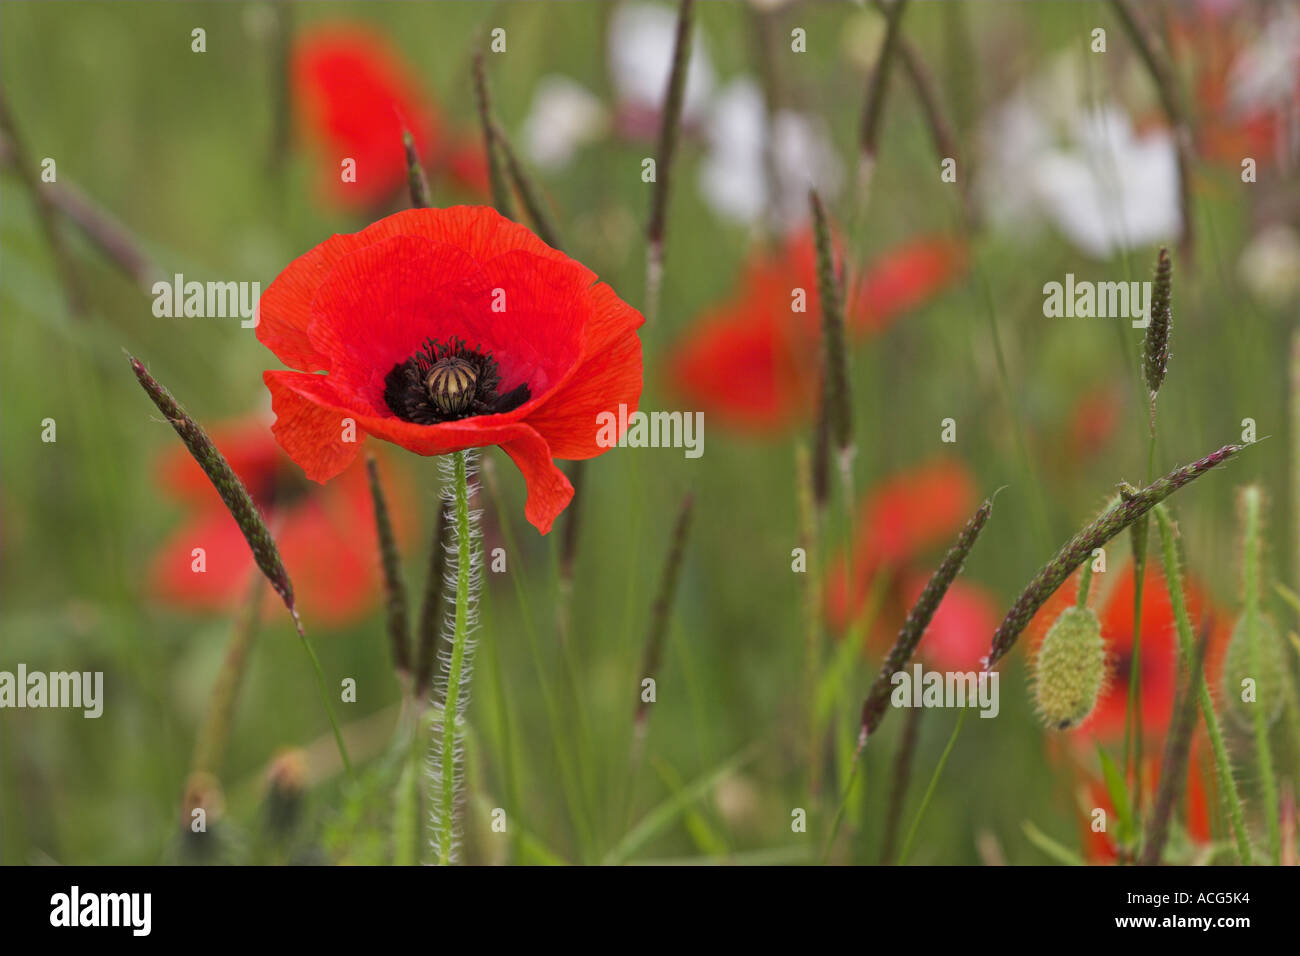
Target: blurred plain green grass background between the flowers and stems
x: 176, y: 145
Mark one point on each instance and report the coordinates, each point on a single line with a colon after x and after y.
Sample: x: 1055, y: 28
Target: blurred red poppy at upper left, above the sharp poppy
x: 354, y: 96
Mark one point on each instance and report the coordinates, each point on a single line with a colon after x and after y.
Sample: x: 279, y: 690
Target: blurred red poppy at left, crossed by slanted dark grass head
x: 327, y: 538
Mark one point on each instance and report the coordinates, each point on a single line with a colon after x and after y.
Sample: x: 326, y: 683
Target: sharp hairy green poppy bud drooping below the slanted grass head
x: 1071, y: 669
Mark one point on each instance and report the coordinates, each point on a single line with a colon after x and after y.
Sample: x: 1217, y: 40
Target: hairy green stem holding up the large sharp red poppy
x: 457, y: 665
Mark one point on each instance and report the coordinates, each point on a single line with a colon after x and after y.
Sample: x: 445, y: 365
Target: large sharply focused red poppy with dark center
x: 449, y: 330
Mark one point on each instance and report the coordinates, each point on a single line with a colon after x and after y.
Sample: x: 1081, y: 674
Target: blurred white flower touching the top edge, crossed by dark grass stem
x: 640, y: 49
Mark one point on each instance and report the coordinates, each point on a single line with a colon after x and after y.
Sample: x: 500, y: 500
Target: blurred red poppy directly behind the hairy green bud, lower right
x: 1113, y: 602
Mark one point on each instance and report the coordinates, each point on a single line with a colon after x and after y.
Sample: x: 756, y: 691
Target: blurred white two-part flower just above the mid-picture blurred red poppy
x: 735, y: 179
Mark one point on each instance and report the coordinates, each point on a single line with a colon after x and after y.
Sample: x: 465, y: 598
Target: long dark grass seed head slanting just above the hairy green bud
x: 1132, y: 507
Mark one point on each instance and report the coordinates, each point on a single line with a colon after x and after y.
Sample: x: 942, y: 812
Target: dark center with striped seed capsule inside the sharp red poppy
x: 449, y: 382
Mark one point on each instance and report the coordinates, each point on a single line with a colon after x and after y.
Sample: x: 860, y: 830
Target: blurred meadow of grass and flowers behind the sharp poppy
x: 211, y: 167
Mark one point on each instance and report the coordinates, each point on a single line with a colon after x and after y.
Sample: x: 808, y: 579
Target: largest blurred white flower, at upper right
x: 1089, y: 175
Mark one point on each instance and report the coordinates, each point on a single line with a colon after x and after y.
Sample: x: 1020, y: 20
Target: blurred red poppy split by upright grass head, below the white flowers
x: 752, y: 362
